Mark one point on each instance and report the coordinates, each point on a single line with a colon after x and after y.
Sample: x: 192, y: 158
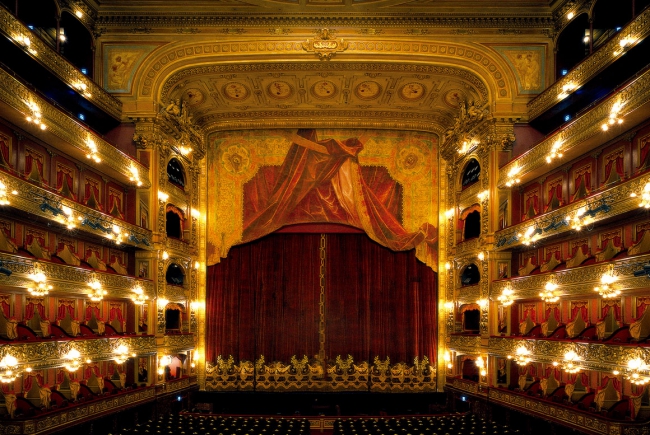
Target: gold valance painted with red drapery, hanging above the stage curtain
x: 383, y: 182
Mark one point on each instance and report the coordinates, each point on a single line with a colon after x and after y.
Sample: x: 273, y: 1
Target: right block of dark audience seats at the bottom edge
x: 438, y: 425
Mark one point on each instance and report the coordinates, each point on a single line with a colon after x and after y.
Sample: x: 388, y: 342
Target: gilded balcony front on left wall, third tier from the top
x: 42, y: 202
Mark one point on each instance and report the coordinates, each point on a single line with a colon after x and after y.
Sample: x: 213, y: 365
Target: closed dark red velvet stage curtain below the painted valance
x: 263, y: 299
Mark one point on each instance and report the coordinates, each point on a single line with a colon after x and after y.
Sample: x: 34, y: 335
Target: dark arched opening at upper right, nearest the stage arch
x: 571, y: 46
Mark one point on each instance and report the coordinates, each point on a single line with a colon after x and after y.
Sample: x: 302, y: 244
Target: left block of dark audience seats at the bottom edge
x: 186, y: 424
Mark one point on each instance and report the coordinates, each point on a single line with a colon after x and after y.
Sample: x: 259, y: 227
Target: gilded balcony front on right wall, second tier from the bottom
x: 593, y: 356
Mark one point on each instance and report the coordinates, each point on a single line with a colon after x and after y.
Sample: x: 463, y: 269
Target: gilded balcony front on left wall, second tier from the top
x: 19, y: 97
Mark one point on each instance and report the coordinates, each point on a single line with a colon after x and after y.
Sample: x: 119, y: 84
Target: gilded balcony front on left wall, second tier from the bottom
x: 49, y: 354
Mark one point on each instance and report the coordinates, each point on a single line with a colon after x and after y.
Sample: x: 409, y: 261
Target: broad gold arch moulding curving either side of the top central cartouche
x: 167, y: 60
